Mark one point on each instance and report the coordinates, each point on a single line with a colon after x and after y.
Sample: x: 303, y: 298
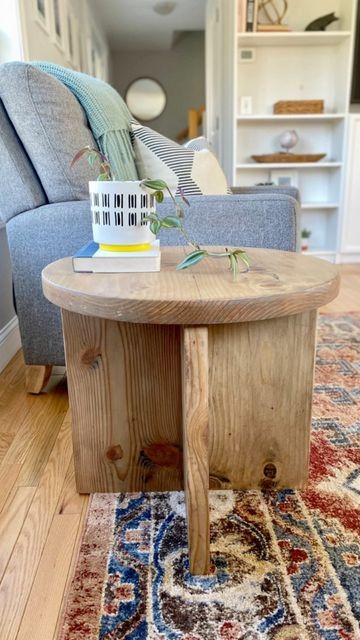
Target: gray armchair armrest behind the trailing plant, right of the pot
x: 259, y: 219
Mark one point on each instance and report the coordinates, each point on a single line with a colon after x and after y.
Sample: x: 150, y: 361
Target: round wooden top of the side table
x: 279, y: 283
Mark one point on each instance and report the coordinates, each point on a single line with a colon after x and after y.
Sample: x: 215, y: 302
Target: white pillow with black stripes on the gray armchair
x: 195, y: 172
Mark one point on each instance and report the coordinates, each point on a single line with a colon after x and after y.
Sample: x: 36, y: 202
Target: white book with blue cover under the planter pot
x: 94, y: 260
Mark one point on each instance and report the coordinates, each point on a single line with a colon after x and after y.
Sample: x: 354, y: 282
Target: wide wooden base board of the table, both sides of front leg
x: 125, y: 393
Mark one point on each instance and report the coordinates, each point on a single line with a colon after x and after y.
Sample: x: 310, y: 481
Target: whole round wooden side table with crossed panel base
x: 190, y: 379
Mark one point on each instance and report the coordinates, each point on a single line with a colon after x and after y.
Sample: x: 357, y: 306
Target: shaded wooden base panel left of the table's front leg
x: 125, y: 396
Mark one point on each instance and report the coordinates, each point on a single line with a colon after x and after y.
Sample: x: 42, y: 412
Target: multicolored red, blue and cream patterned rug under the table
x: 284, y: 565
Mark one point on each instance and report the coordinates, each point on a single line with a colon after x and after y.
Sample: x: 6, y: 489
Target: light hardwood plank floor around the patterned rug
x: 41, y: 514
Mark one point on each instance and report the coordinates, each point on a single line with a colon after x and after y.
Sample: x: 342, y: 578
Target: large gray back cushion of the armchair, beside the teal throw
x: 52, y: 127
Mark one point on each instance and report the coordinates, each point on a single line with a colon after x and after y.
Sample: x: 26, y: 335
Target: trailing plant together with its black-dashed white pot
x: 124, y: 216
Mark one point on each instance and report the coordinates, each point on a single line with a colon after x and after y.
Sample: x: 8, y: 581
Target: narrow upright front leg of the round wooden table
x: 195, y: 391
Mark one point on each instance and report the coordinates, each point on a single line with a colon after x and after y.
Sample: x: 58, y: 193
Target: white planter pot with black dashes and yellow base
x: 118, y: 211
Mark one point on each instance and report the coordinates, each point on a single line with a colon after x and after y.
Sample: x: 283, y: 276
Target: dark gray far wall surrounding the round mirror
x: 181, y: 71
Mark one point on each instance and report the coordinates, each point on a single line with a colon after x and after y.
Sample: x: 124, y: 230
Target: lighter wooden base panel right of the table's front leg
x: 260, y: 390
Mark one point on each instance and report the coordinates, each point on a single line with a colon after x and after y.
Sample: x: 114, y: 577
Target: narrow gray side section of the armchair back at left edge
x: 20, y: 187
